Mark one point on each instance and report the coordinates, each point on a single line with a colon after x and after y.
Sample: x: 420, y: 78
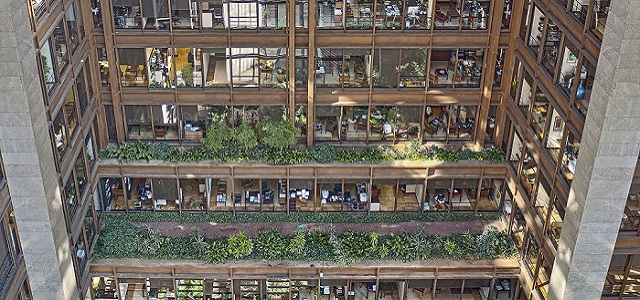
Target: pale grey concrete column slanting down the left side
x: 28, y: 158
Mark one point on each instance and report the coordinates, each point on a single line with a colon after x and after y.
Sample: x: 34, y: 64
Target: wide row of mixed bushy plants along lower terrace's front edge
x: 120, y: 240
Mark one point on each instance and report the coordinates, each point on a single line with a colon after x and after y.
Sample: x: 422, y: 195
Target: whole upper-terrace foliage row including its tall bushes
x: 241, y: 144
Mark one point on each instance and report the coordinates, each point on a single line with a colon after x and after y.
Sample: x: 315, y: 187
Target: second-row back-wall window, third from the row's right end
x: 412, y: 69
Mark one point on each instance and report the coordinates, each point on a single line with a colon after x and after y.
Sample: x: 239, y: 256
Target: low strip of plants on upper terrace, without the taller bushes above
x: 325, y: 153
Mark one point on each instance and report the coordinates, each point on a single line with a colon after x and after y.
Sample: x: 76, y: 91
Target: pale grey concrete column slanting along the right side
x: 608, y: 155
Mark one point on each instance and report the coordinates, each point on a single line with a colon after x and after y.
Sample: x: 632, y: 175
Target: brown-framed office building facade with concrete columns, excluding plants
x: 550, y: 82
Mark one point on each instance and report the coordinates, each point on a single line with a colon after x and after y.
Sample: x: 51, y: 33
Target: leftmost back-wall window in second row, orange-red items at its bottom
x: 133, y: 67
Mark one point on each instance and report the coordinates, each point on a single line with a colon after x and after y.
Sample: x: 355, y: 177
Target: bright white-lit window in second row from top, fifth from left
x: 245, y: 67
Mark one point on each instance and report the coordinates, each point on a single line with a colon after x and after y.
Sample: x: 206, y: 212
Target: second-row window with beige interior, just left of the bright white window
x: 216, y: 67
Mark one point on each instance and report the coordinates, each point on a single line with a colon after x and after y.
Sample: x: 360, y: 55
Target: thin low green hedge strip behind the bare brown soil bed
x: 300, y: 217
